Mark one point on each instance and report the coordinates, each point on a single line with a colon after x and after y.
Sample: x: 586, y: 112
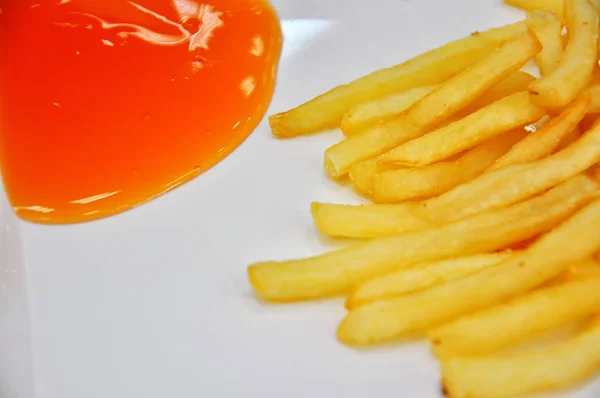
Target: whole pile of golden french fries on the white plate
x: 484, y: 234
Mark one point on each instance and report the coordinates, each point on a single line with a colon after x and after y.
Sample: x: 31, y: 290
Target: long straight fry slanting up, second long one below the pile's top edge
x: 443, y: 102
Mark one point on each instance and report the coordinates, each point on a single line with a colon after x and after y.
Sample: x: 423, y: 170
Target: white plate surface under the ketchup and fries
x: 154, y: 303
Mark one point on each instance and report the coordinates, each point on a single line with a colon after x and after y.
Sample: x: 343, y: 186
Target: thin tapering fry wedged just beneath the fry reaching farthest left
x: 421, y: 277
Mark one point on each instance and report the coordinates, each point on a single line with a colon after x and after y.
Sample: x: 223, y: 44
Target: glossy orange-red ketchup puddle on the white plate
x: 106, y: 104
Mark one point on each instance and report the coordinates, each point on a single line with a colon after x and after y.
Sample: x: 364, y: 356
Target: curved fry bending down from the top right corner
x: 576, y: 67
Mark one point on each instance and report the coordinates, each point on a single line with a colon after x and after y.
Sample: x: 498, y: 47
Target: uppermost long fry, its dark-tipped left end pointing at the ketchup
x: 326, y: 111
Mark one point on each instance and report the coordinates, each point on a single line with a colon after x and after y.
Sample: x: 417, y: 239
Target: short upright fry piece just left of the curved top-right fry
x: 548, y: 29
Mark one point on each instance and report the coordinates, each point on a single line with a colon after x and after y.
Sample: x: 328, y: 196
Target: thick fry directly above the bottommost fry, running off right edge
x: 518, y: 320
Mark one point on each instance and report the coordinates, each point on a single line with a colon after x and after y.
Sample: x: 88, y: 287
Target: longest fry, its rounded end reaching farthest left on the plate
x: 337, y: 272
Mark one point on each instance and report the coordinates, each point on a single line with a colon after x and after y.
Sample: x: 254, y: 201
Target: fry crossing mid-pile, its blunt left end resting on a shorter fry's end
x: 514, y: 183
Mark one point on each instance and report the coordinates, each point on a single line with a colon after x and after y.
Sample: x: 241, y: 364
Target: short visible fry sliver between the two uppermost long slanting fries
x: 380, y: 109
